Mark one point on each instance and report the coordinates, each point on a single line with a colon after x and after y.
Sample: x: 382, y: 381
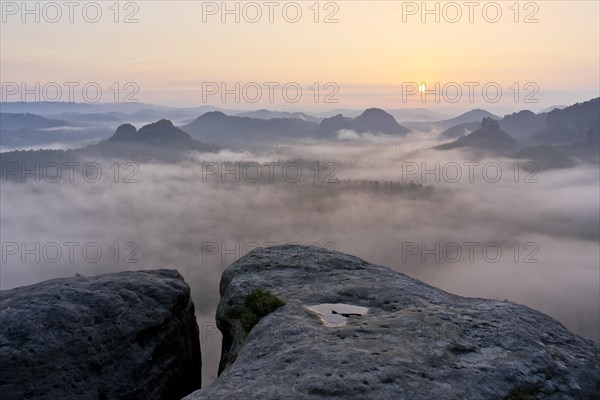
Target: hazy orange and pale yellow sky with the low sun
x: 373, y: 48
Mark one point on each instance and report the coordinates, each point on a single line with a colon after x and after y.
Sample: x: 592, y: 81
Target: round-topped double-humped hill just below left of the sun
x: 371, y: 120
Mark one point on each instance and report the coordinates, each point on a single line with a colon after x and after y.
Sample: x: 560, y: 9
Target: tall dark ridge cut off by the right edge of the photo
x: 579, y: 123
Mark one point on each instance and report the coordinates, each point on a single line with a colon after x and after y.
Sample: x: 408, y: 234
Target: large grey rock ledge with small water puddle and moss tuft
x: 415, y: 342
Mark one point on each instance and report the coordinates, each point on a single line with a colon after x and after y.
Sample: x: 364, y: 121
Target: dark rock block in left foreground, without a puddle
x: 128, y: 335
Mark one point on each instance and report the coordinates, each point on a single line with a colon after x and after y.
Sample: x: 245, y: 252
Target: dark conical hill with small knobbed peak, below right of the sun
x: 488, y: 137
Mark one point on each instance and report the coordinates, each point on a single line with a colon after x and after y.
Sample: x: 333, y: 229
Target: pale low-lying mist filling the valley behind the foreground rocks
x: 534, y: 243
